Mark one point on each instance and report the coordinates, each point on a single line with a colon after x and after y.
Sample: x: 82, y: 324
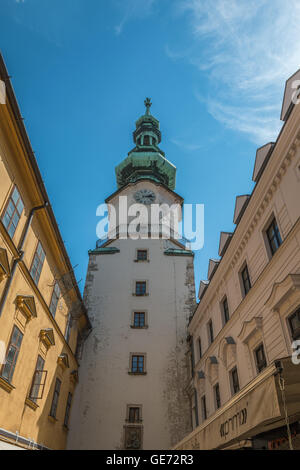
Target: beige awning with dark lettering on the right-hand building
x: 258, y: 407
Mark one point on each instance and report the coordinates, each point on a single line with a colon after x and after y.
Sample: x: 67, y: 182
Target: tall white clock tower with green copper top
x: 134, y: 371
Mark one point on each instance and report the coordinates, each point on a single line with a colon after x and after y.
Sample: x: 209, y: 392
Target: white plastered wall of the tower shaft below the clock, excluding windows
x: 105, y: 387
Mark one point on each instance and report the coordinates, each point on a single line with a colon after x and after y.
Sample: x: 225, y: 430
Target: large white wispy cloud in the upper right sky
x: 248, y: 49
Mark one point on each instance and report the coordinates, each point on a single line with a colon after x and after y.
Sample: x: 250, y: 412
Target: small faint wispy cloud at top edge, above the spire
x: 133, y: 9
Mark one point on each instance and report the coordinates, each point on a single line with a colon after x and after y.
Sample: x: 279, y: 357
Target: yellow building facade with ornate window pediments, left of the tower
x: 42, y: 318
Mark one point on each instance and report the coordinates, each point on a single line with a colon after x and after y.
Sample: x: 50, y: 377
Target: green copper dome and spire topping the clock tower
x: 146, y: 160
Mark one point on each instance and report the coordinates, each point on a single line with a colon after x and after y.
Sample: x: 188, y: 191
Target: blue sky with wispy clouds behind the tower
x: 215, y: 71
